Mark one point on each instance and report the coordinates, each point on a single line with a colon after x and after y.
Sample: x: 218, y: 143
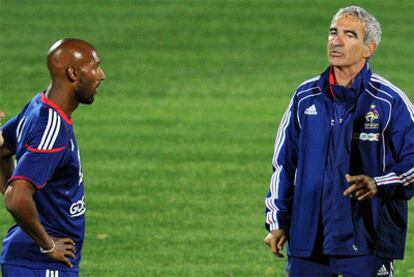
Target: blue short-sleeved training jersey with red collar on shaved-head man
x: 47, y: 156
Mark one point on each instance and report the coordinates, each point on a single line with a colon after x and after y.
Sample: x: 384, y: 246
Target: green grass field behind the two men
x: 177, y: 147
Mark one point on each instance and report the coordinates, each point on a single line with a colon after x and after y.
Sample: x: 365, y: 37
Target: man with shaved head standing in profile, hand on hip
x: 44, y: 191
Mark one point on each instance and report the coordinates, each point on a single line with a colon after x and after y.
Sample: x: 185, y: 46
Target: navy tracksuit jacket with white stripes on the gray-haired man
x: 366, y: 129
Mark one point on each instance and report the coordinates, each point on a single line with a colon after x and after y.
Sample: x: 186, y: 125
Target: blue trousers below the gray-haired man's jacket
x: 347, y: 266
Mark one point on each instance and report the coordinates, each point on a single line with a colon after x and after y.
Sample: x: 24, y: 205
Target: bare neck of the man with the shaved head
x: 62, y: 97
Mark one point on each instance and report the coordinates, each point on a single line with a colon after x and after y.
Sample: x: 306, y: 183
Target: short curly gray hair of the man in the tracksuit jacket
x: 372, y: 26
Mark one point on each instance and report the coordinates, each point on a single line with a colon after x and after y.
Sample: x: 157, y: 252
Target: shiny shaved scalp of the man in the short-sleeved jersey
x: 69, y: 52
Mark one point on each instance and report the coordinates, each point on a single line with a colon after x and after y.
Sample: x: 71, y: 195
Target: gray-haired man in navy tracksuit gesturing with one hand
x: 343, y: 166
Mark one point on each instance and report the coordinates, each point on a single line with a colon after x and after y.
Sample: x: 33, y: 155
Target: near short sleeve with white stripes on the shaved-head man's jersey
x: 44, y: 143
